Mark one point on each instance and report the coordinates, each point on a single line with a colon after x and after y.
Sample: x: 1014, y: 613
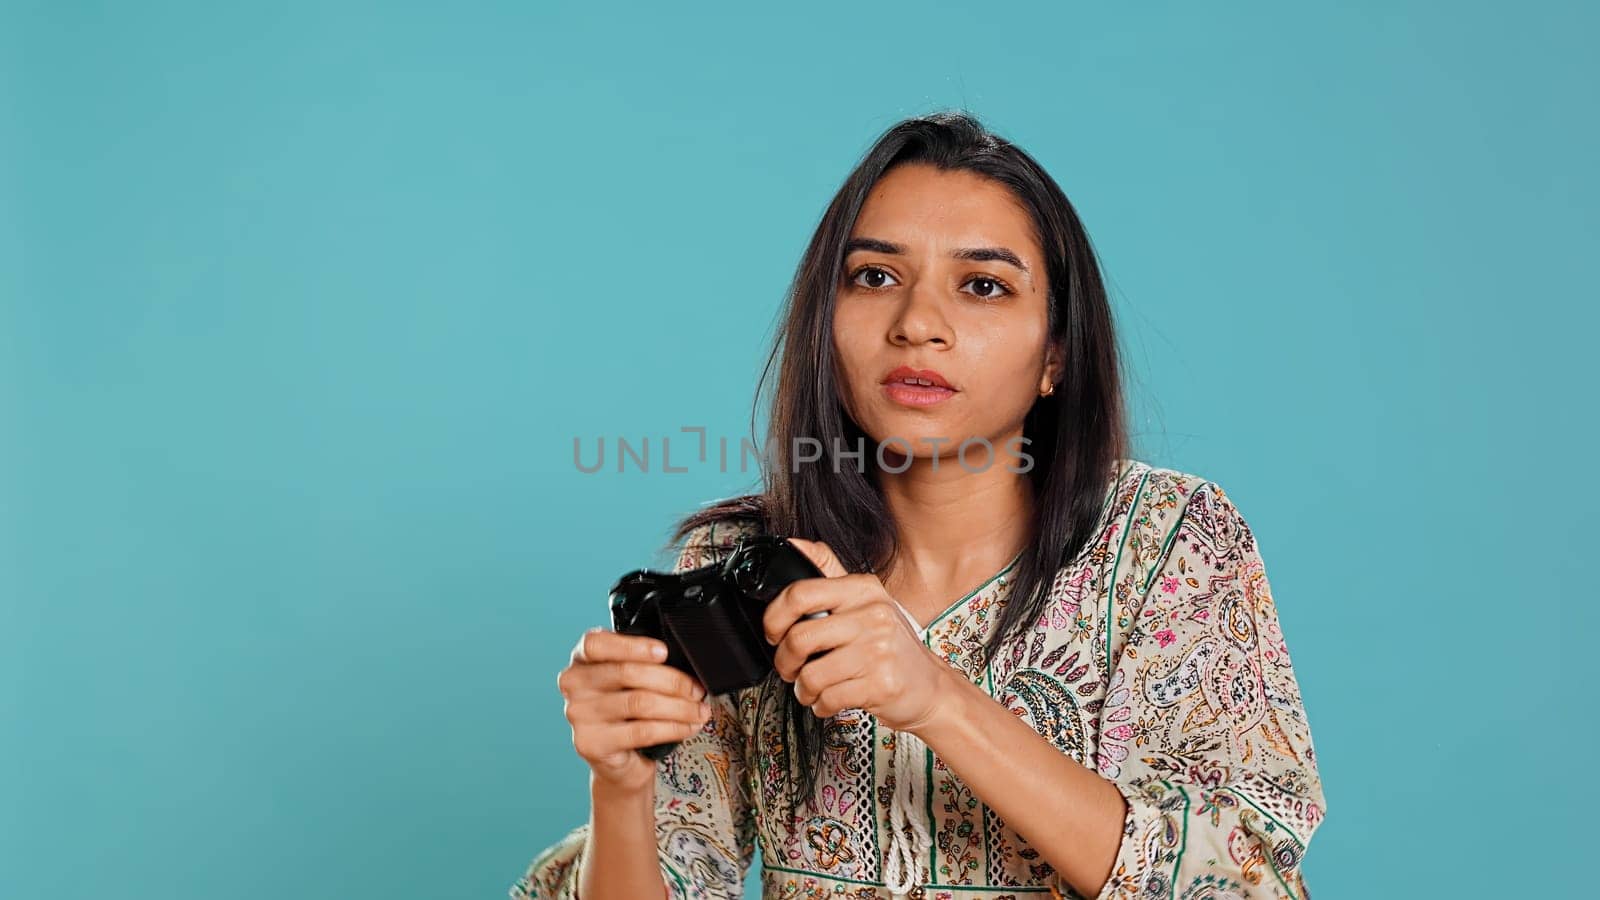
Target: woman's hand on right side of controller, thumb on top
x: 873, y: 657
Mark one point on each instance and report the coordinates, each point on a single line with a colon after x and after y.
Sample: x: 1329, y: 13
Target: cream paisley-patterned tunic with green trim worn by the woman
x: 1159, y: 662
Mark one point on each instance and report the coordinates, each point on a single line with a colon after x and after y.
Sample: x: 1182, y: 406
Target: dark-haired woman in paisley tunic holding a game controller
x: 1058, y: 673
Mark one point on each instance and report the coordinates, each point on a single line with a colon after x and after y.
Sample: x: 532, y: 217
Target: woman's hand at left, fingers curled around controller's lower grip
x: 623, y: 697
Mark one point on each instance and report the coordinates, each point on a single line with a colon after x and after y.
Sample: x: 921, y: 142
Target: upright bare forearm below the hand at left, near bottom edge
x: 622, y: 859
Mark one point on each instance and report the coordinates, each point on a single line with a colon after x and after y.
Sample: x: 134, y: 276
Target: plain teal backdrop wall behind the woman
x: 302, y: 307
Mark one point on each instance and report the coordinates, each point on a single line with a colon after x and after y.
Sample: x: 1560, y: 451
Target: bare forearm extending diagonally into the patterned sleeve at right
x: 1068, y: 813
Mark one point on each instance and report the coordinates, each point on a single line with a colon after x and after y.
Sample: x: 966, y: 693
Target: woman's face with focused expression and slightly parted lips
x: 943, y: 276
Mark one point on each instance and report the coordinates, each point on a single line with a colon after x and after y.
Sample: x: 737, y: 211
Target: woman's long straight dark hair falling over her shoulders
x: 1076, y: 436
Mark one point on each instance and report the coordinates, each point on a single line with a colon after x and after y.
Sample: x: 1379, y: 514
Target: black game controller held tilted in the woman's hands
x: 711, y: 617
